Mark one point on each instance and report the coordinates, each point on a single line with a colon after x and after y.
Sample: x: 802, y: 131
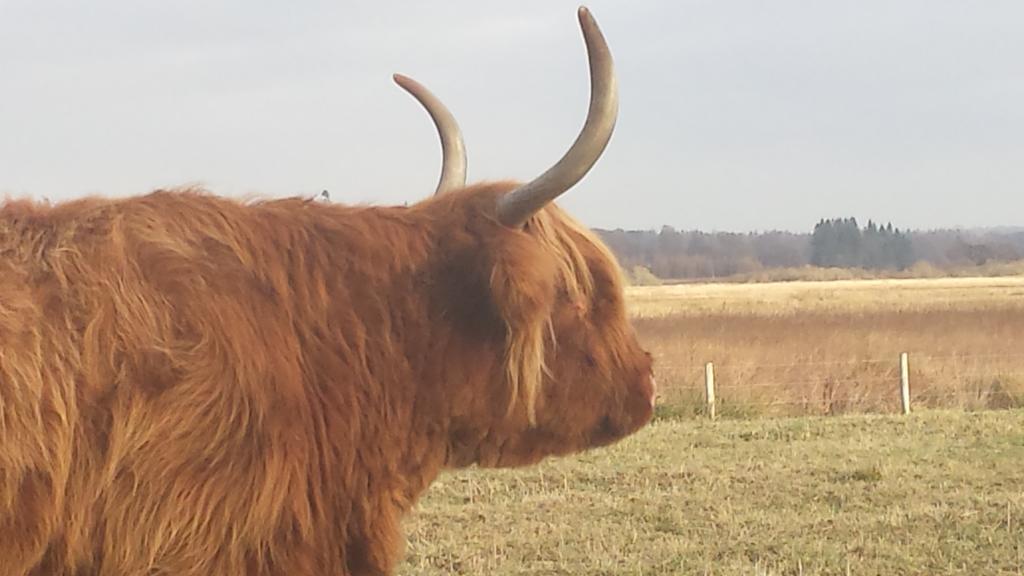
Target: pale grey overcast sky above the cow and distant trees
x: 735, y: 115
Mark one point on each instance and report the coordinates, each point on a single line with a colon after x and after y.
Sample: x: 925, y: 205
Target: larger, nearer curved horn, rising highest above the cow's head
x: 518, y: 207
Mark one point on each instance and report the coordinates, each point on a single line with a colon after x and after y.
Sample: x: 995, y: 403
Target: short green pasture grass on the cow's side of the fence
x: 932, y: 493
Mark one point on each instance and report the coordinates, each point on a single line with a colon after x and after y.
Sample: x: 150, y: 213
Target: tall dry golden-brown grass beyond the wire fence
x: 825, y: 348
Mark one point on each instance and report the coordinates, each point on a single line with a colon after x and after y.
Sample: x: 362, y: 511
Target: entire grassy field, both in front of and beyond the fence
x: 842, y: 487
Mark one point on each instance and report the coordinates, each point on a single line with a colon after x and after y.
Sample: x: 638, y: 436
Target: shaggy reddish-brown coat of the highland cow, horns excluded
x: 197, y: 386
